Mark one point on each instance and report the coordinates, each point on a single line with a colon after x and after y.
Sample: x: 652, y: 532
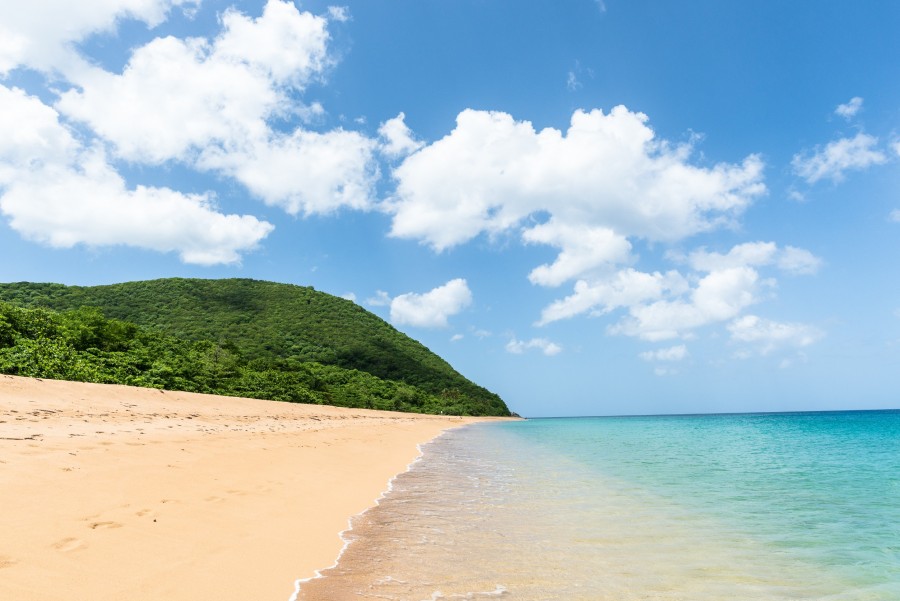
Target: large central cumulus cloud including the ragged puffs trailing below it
x: 588, y: 192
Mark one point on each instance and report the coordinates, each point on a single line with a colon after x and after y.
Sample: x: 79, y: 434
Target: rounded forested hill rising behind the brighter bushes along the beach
x: 270, y: 327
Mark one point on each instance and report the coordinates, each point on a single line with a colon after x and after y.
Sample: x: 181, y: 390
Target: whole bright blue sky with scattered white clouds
x: 588, y: 207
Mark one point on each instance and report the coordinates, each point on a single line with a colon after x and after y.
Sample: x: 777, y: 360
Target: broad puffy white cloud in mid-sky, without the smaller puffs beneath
x: 606, y: 171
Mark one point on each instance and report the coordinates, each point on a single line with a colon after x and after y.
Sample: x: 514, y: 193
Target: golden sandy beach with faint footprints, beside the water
x: 113, y: 492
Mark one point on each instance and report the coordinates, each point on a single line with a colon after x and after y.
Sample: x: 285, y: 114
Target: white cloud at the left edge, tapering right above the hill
x: 57, y: 192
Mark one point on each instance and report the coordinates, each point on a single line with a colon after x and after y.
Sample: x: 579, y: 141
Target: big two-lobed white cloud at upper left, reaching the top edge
x: 211, y: 104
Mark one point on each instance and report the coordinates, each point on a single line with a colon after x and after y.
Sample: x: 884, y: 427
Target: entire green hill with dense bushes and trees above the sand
x: 237, y: 337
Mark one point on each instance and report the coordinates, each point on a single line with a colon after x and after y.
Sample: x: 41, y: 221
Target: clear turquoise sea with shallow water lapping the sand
x: 689, y: 508
